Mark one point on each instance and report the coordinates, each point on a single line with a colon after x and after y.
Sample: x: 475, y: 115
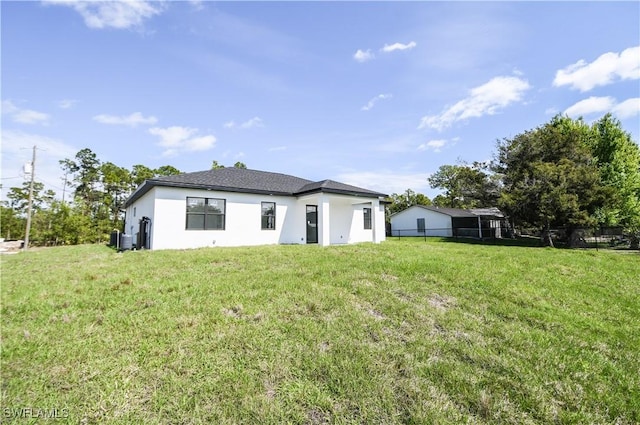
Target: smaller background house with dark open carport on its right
x: 421, y: 220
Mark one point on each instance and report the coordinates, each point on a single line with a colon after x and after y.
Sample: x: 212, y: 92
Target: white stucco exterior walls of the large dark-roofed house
x: 341, y: 220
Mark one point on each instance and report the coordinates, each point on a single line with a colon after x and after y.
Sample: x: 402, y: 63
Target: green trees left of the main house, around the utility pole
x: 91, y: 206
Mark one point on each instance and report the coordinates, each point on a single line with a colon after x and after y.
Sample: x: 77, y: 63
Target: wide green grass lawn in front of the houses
x: 403, y: 332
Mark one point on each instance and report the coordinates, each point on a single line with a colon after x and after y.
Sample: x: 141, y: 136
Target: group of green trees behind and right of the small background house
x: 563, y: 174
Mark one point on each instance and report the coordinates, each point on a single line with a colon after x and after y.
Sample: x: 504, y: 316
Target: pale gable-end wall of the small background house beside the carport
x: 405, y: 223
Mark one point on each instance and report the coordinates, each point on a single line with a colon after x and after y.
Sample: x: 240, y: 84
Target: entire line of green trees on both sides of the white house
x: 562, y: 174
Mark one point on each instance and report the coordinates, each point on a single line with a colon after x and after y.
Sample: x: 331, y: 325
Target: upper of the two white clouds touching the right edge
x: 606, y: 69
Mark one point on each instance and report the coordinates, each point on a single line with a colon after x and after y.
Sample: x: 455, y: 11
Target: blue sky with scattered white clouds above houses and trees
x: 376, y: 94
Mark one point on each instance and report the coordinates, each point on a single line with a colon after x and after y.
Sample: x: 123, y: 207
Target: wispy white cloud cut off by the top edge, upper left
x: 115, y: 14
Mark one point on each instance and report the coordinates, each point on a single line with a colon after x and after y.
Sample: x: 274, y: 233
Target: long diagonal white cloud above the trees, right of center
x: 487, y: 99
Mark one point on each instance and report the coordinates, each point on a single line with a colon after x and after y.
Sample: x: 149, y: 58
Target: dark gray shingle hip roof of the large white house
x: 250, y: 181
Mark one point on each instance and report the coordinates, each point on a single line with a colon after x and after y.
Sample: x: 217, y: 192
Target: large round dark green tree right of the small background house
x: 550, y: 178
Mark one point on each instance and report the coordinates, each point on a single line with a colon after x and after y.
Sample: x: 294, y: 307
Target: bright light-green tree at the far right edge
x: 618, y: 160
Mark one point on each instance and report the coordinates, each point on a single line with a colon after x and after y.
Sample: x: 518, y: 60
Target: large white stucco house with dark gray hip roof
x: 235, y: 207
